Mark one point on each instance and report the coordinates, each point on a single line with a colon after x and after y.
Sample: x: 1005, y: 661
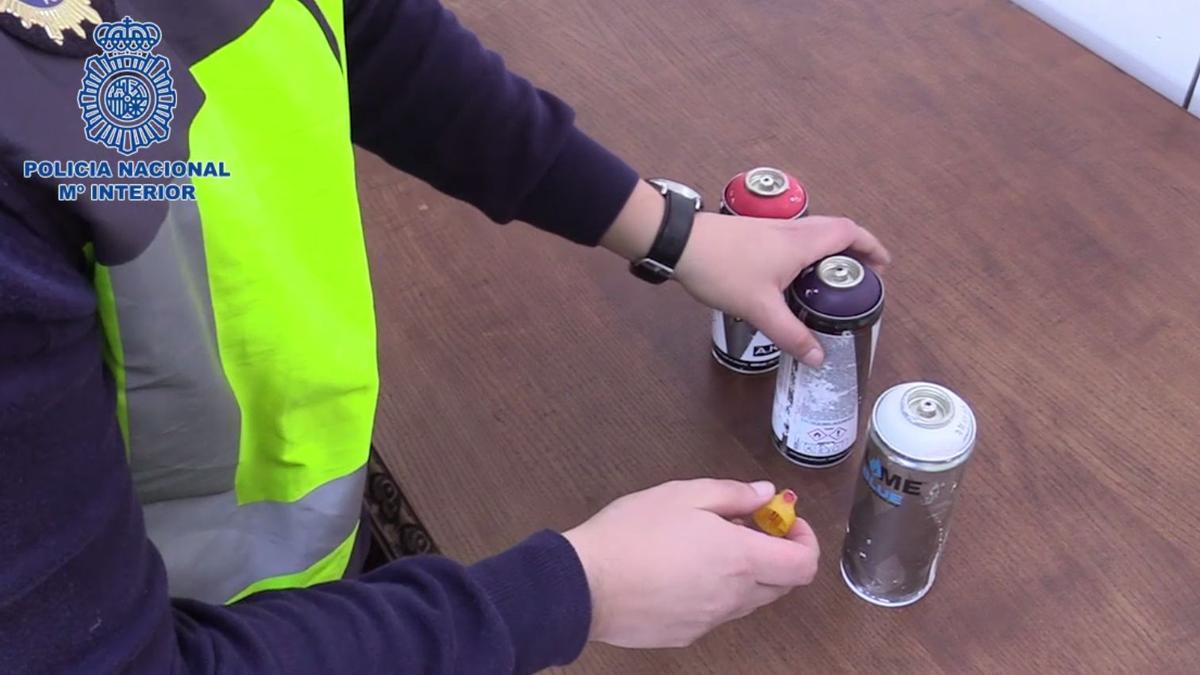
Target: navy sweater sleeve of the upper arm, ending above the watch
x: 433, y: 101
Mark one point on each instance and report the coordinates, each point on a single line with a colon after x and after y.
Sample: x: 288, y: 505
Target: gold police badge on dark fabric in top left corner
x: 55, y: 26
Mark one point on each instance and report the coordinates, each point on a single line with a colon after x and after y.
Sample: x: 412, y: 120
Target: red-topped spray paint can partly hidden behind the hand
x: 759, y: 193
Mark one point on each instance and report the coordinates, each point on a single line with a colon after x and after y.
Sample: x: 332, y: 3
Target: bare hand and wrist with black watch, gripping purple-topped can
x: 742, y: 266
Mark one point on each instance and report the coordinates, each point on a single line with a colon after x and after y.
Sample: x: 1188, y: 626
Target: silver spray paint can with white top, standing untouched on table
x: 917, y: 450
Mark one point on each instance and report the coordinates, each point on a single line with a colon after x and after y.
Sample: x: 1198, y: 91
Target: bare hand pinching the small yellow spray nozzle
x: 665, y: 566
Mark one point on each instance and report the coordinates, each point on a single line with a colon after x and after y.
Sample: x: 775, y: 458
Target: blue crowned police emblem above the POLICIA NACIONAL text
x: 128, y: 97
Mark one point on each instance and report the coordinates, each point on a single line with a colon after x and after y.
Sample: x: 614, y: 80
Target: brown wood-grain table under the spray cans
x: 1043, y: 211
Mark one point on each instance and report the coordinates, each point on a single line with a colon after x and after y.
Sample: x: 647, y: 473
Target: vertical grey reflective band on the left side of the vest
x: 183, y: 417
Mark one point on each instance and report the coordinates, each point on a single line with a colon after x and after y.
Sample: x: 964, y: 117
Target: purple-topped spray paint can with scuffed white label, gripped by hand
x: 817, y: 414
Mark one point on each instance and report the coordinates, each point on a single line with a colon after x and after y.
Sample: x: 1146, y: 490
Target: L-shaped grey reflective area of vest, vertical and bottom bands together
x: 185, y: 426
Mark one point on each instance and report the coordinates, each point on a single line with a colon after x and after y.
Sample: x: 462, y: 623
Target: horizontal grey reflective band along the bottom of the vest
x: 215, y: 548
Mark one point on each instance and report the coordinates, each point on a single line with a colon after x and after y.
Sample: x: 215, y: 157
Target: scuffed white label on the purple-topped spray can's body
x: 817, y: 410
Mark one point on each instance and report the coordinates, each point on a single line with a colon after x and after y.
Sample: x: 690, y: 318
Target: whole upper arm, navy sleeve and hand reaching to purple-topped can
x: 428, y: 98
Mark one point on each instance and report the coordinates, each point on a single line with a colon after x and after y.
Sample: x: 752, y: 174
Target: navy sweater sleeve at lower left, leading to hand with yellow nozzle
x: 82, y: 589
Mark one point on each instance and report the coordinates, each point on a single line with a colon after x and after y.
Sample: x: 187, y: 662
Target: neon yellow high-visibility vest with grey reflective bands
x: 243, y: 338
